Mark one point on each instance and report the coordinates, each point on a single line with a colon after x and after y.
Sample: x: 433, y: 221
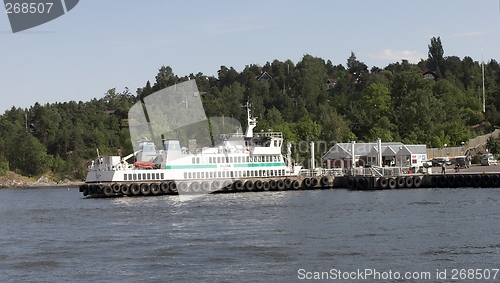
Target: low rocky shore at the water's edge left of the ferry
x: 13, y: 180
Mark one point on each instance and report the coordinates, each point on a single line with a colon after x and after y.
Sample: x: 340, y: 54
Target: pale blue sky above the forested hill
x: 100, y: 45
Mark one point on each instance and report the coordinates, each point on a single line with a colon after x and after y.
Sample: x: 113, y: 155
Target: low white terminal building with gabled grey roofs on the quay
x: 369, y: 154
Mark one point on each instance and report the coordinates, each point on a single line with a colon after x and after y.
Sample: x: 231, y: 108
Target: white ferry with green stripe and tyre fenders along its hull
x: 250, y: 161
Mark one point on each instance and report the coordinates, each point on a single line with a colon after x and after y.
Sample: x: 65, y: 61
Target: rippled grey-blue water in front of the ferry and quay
x: 55, y: 235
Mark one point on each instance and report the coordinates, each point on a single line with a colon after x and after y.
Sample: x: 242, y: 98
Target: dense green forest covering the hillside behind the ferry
x: 435, y: 102
